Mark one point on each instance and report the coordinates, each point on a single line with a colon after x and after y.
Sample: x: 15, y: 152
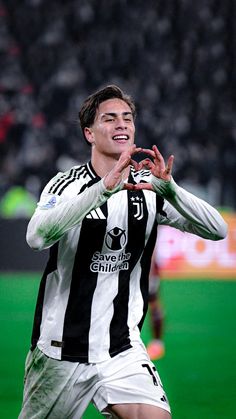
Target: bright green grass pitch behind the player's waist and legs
x: 198, y: 371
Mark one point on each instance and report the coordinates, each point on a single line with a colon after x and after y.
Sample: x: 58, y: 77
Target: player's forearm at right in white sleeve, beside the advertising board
x: 199, y: 217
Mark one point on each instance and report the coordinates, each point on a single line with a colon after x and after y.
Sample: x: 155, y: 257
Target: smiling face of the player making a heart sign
x: 113, y: 129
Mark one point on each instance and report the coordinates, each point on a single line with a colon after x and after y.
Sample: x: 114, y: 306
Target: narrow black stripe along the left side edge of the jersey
x: 51, y: 266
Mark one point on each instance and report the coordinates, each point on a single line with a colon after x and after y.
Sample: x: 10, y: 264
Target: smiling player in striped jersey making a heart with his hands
x: 100, y: 221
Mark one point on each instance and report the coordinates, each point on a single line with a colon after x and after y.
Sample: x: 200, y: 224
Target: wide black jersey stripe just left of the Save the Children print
x: 78, y: 312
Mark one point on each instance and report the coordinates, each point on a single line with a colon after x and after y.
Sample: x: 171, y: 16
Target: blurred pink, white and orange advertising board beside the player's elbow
x: 184, y: 255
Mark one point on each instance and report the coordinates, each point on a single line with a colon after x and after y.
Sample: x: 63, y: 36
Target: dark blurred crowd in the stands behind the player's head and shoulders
x: 175, y: 57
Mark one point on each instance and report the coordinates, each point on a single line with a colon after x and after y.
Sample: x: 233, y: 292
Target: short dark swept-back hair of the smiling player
x: 88, y: 110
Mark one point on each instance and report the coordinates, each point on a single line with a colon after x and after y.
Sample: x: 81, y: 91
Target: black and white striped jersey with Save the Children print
x: 93, y: 294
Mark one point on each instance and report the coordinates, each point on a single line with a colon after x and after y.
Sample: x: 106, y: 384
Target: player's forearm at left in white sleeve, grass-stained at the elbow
x: 48, y: 225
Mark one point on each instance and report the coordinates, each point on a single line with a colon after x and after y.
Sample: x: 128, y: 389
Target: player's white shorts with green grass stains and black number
x: 62, y: 390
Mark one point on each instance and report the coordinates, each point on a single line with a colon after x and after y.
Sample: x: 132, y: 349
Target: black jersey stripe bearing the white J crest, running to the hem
x: 119, y: 331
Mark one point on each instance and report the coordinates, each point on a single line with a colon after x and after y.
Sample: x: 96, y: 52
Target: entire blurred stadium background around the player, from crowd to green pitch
x: 178, y: 60
